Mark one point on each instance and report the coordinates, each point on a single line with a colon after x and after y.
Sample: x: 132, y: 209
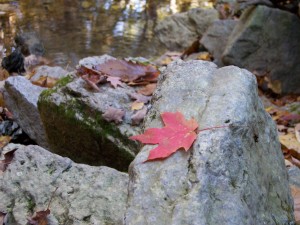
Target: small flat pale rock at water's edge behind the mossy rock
x: 55, y: 72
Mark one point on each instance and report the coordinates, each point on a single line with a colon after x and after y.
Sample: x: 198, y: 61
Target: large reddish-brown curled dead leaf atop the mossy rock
x: 127, y: 71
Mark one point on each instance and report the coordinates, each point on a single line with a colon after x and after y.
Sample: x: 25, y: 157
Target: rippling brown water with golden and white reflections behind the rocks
x: 71, y: 30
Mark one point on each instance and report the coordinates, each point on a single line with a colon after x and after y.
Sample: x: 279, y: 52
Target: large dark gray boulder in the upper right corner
x: 266, y: 40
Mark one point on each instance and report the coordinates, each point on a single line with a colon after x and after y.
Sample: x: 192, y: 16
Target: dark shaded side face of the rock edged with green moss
x: 99, y: 141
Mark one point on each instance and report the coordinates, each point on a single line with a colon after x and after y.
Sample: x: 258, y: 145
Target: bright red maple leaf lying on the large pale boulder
x: 177, y: 133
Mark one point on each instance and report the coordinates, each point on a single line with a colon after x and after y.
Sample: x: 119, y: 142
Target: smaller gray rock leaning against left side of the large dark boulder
x: 215, y: 38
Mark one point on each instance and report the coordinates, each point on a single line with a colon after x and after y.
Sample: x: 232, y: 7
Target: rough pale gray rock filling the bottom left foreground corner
x: 85, y: 195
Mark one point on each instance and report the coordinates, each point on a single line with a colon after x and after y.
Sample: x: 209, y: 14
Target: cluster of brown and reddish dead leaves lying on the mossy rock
x: 142, y: 77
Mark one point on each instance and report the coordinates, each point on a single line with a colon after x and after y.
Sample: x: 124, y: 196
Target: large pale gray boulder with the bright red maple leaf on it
x: 234, y: 175
